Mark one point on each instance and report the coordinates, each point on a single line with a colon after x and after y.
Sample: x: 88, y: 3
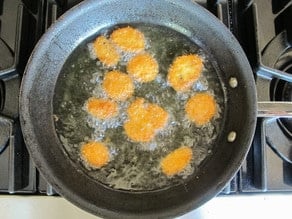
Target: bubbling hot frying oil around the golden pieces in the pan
x: 135, y: 166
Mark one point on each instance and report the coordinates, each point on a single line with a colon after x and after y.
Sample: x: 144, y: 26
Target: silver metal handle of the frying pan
x: 275, y: 109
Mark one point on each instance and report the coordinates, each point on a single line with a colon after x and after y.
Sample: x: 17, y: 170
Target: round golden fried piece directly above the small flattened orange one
x: 117, y: 85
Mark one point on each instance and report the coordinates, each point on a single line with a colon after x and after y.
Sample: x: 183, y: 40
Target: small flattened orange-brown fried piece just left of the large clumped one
x: 102, y: 108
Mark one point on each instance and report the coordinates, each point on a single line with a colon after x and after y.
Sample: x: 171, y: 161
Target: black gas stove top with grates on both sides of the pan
x: 262, y: 27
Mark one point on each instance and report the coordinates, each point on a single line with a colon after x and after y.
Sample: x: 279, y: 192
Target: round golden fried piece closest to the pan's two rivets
x: 201, y: 108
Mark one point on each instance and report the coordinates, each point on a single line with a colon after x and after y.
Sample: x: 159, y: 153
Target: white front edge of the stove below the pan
x: 275, y: 205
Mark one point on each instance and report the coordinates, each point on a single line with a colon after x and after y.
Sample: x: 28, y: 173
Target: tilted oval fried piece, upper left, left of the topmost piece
x: 105, y: 51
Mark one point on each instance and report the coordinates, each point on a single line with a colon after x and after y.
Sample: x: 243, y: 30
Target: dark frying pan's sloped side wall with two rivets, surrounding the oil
x: 36, y: 107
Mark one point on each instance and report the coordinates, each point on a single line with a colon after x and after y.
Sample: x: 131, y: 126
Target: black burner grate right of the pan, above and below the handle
x: 271, y: 59
